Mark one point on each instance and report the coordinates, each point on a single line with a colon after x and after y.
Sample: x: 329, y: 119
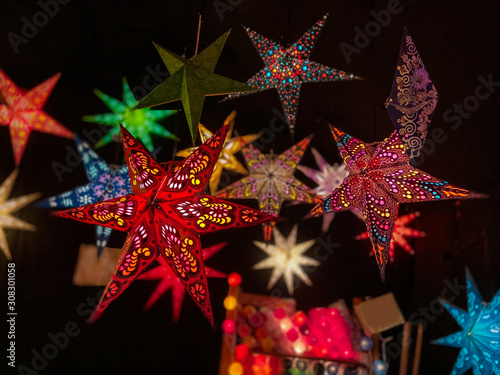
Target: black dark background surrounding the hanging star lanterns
x: 95, y: 43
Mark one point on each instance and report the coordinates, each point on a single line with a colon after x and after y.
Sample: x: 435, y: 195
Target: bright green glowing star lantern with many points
x: 140, y: 122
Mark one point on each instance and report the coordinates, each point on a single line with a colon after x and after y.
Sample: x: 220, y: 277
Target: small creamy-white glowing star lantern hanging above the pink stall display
x: 286, y: 259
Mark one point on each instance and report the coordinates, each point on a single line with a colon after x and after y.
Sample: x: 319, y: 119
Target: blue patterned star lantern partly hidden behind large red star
x: 105, y: 182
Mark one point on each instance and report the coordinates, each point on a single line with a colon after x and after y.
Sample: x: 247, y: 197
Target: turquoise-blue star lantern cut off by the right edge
x: 479, y: 339
